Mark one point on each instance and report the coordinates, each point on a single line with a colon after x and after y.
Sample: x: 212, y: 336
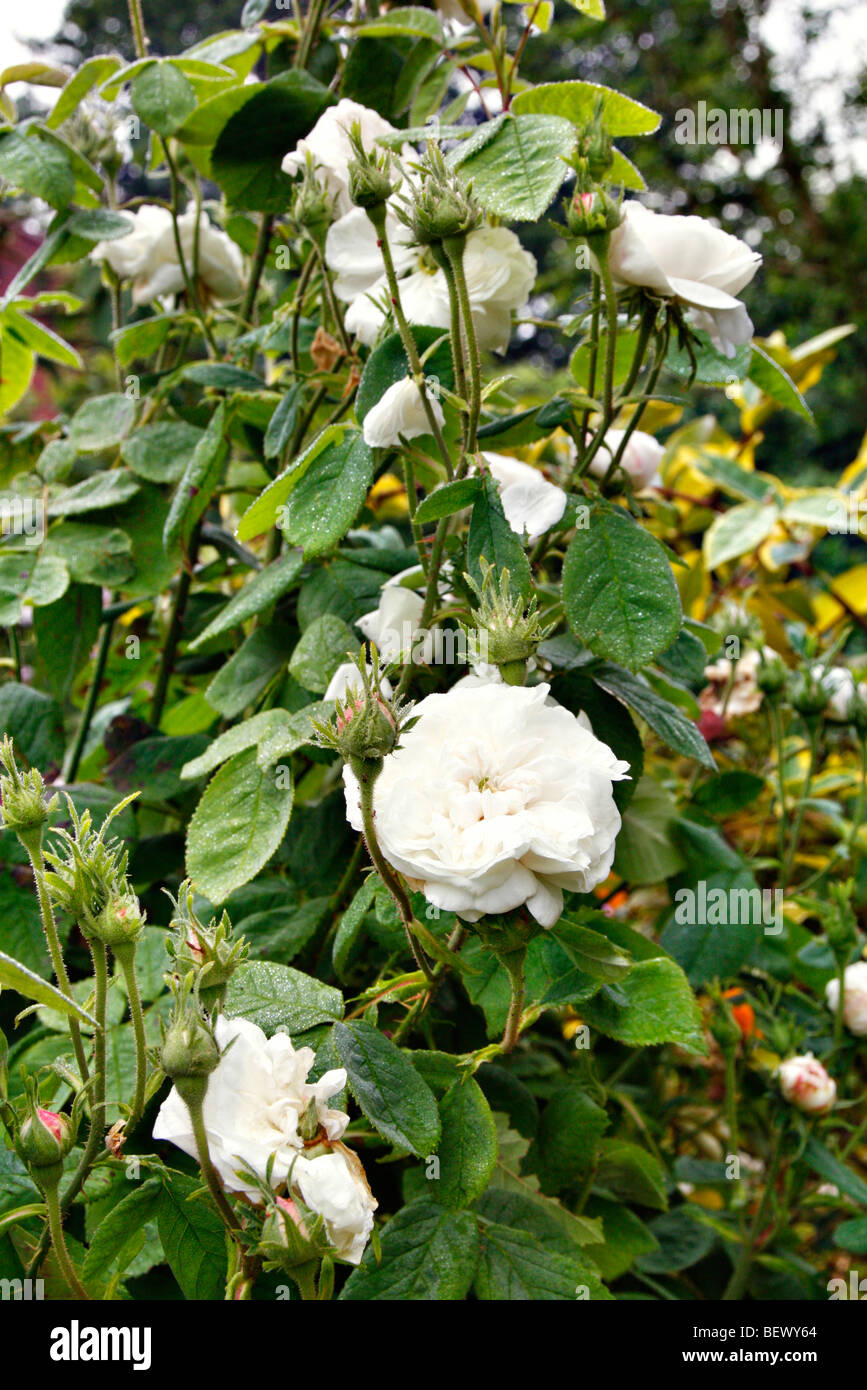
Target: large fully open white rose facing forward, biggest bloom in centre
x: 497, y: 800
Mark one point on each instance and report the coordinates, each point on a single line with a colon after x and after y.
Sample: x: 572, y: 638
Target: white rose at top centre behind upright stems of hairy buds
x: 499, y: 273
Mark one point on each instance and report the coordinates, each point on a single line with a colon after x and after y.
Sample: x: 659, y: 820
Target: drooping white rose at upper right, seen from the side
x: 688, y: 259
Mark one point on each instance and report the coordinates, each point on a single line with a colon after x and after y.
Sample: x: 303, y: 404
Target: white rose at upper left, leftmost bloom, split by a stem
x: 220, y: 262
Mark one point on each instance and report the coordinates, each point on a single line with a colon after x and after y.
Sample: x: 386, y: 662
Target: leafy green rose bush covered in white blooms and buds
x: 436, y: 775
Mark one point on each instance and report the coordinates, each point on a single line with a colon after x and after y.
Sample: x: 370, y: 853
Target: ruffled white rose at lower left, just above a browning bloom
x: 255, y: 1102
